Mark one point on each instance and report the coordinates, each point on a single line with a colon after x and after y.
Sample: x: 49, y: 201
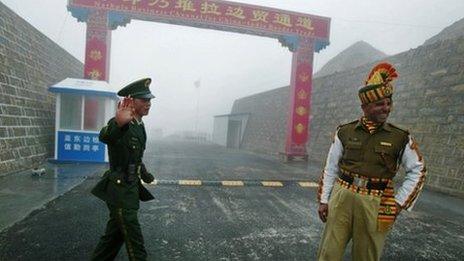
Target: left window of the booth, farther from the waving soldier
x: 70, y: 111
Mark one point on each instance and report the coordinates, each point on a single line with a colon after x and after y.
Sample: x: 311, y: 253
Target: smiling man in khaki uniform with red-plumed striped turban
x: 356, y: 195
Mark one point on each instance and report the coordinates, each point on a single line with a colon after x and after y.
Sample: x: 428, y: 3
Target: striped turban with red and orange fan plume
x: 378, y: 84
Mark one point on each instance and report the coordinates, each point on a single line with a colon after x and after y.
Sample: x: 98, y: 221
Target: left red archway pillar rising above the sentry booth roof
x: 98, y: 45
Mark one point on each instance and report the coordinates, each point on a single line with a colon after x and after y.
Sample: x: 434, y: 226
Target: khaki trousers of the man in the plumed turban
x: 351, y: 216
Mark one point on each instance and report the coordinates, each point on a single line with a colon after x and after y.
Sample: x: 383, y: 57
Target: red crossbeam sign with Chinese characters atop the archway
x: 241, y: 17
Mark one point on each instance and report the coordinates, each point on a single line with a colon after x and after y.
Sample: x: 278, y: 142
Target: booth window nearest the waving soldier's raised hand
x: 94, y: 113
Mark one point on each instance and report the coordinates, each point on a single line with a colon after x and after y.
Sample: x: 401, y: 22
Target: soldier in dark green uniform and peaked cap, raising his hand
x: 120, y: 186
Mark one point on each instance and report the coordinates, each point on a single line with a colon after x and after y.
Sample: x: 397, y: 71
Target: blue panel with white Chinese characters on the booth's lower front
x: 80, y: 146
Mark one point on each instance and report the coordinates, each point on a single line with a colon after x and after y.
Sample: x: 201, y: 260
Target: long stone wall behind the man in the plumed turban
x: 428, y: 101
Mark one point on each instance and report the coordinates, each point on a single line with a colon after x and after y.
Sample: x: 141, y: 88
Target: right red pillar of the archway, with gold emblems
x: 300, y: 99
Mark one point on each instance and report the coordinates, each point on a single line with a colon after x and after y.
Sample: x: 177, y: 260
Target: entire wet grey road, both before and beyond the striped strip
x: 223, y: 223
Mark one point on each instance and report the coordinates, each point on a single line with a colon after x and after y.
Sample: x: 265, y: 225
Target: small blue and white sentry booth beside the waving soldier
x: 82, y: 108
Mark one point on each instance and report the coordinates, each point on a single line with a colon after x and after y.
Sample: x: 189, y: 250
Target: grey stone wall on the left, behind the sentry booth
x: 29, y: 63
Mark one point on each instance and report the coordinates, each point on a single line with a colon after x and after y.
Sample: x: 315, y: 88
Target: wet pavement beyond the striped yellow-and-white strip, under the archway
x: 175, y: 160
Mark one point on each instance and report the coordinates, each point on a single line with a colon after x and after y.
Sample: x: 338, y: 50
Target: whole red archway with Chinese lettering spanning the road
x: 302, y: 33
